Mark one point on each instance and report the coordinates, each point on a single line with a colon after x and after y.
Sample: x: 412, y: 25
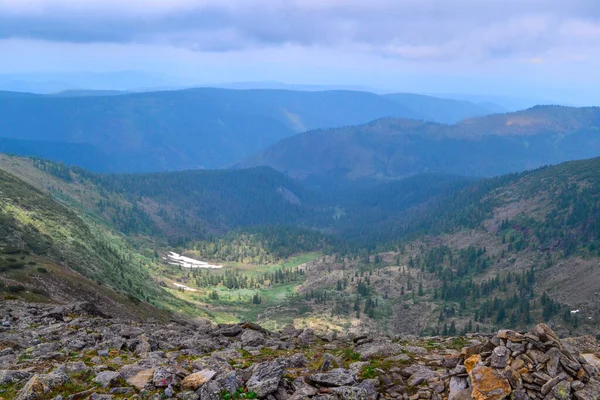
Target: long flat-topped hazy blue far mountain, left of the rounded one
x: 186, y: 129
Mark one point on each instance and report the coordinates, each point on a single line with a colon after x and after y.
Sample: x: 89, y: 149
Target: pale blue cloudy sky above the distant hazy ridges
x: 547, y: 49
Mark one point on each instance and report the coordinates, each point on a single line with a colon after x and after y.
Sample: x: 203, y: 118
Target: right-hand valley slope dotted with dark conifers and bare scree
x: 512, y: 251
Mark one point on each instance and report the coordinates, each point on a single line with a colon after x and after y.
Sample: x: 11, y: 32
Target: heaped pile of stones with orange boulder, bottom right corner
x: 533, y: 365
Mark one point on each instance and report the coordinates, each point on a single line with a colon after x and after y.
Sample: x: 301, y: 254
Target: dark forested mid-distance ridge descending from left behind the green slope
x: 173, y: 206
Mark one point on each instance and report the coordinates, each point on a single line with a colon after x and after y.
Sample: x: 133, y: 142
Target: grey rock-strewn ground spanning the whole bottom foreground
x: 75, y: 352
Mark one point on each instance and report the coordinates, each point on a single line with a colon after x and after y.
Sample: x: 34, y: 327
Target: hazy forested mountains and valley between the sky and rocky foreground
x: 398, y: 225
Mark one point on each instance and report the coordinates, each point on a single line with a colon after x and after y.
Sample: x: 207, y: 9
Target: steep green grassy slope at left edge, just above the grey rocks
x: 48, y: 253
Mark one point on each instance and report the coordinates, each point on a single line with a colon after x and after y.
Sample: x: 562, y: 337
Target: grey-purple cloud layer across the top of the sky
x: 405, y: 29
